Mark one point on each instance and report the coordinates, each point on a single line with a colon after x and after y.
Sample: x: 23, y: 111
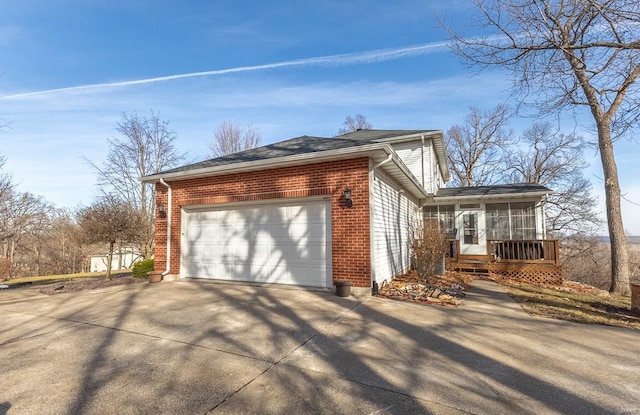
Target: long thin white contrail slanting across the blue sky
x: 372, y: 56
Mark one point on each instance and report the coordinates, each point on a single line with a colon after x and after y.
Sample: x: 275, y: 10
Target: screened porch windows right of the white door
x: 511, y: 220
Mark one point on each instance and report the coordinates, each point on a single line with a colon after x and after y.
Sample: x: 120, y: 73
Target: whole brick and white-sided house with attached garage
x: 311, y: 210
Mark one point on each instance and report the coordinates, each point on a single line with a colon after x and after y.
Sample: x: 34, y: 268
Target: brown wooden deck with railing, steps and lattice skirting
x: 527, y: 260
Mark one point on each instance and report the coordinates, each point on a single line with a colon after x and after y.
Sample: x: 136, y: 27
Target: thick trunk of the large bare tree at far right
x: 617, y: 238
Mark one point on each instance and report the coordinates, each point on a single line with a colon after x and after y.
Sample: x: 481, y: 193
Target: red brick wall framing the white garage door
x: 351, y: 253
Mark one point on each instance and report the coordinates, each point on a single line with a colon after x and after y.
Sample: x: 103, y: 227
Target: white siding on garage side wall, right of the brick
x: 394, y: 214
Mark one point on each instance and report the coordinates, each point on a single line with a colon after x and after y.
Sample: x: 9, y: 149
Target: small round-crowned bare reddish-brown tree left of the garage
x: 110, y: 220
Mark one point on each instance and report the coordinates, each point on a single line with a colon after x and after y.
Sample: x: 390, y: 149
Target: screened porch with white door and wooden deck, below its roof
x: 499, y: 239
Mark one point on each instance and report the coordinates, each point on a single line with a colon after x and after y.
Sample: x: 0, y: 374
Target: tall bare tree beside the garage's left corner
x: 145, y: 146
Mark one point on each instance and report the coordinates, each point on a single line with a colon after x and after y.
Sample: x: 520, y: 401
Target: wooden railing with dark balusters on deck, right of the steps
x: 536, y: 250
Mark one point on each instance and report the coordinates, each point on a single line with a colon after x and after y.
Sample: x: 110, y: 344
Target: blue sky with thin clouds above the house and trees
x: 69, y: 68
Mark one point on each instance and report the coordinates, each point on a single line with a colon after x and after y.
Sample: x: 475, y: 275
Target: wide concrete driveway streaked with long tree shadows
x: 196, y: 348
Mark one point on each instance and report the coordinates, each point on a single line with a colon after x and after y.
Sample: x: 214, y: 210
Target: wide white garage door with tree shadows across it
x: 276, y: 243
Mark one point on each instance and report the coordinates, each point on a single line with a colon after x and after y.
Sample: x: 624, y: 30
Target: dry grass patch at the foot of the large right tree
x: 575, y: 302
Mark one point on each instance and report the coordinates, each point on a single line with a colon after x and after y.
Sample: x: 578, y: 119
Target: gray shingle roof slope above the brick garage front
x: 299, y: 145
